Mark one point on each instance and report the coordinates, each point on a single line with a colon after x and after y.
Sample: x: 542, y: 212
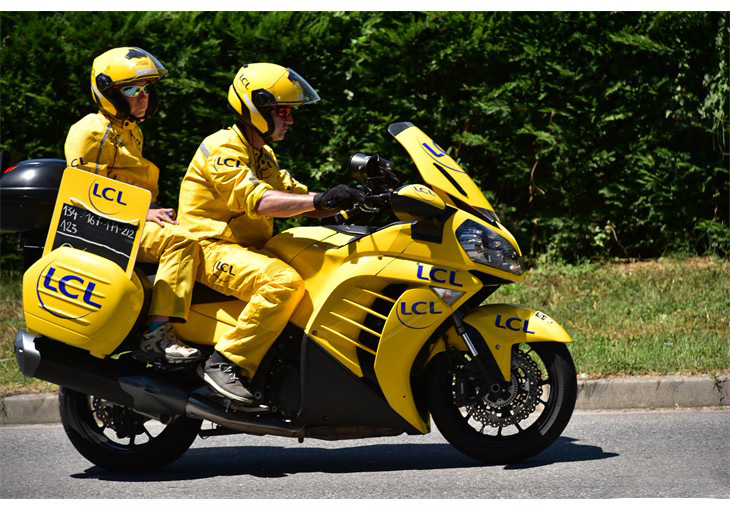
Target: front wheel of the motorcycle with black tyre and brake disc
x: 514, y: 421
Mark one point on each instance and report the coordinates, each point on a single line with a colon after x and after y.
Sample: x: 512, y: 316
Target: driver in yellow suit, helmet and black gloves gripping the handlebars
x: 229, y: 197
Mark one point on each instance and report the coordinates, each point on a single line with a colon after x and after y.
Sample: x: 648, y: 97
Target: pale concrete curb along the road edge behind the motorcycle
x: 625, y: 393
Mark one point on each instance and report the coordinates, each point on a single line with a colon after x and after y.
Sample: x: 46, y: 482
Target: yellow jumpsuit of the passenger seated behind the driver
x: 112, y: 148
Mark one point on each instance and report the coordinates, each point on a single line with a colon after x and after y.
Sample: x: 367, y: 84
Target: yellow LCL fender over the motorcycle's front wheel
x: 501, y: 326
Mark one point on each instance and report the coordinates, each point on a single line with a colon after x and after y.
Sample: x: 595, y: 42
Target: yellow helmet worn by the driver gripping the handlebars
x: 258, y: 88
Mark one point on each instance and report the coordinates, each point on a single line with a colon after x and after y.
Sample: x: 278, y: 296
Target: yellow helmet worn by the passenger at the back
x: 117, y: 67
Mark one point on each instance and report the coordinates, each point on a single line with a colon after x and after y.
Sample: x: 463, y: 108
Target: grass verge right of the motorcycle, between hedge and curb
x: 668, y: 316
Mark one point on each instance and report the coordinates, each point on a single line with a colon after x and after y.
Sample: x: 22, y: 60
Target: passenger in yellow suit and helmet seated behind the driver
x: 109, y: 143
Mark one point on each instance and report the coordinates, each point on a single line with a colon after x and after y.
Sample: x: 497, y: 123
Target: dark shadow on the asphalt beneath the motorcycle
x: 277, y: 462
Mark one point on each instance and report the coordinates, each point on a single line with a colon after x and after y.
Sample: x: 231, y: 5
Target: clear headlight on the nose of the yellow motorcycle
x: 486, y: 247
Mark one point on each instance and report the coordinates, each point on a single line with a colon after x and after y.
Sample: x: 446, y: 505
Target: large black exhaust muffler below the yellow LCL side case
x: 119, y: 381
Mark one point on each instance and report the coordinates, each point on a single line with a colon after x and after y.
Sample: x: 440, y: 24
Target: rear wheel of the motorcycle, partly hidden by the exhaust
x: 117, y: 438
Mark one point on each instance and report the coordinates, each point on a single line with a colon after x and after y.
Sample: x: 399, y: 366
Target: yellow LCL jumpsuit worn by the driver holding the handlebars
x: 218, y: 197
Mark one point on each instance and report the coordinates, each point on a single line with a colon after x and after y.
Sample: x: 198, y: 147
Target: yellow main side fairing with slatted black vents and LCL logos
x: 346, y: 284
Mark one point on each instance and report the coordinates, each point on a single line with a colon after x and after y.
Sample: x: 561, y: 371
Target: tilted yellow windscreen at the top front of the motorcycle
x: 437, y: 168
